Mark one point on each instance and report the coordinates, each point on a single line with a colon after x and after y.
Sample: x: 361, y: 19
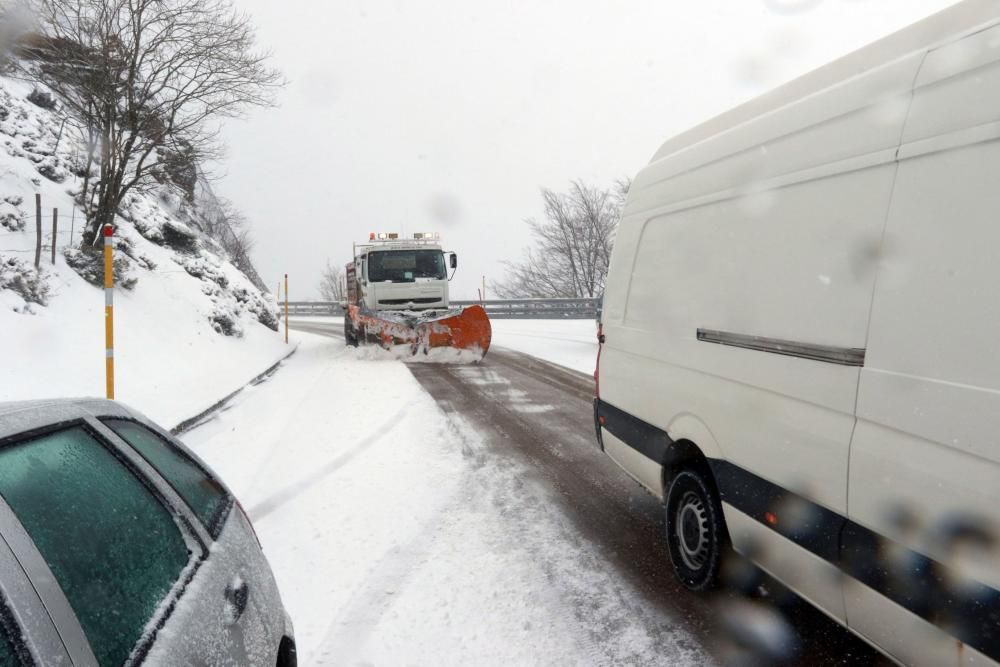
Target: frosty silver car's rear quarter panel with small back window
x: 231, y: 594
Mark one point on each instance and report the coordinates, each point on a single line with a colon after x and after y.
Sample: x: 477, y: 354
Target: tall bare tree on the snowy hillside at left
x: 149, y: 80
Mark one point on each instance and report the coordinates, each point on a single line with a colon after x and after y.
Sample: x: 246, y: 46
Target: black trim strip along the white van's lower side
x: 962, y: 607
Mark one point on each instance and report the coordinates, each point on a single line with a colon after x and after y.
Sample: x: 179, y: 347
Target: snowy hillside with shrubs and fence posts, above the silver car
x: 190, y: 327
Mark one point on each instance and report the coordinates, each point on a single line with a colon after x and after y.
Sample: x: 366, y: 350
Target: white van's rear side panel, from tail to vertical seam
x: 768, y: 229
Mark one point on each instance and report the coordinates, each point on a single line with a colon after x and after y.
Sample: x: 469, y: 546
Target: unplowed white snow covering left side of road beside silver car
x: 398, y: 538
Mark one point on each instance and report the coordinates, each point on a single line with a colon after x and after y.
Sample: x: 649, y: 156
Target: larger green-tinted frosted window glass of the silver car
x: 112, y: 547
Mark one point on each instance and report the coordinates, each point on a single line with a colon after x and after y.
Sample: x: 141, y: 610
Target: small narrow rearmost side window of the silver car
x: 205, y: 496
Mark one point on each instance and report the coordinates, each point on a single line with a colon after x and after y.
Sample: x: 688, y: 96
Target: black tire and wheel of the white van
x: 696, y: 532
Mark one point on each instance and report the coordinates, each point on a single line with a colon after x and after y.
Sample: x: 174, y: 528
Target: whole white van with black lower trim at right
x: 801, y: 339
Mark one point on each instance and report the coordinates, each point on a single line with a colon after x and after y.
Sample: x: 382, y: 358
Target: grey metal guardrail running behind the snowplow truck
x: 498, y: 309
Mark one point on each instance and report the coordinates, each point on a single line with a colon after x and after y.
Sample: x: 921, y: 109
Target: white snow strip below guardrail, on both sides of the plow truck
x: 569, y: 343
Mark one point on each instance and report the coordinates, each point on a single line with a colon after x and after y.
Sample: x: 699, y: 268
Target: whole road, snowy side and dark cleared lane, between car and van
x: 437, y: 514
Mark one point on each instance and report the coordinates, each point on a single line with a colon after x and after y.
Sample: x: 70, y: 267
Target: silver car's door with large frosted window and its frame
x: 107, y: 554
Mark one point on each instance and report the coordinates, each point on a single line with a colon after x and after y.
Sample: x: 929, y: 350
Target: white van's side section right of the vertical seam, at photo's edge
x: 925, y: 460
